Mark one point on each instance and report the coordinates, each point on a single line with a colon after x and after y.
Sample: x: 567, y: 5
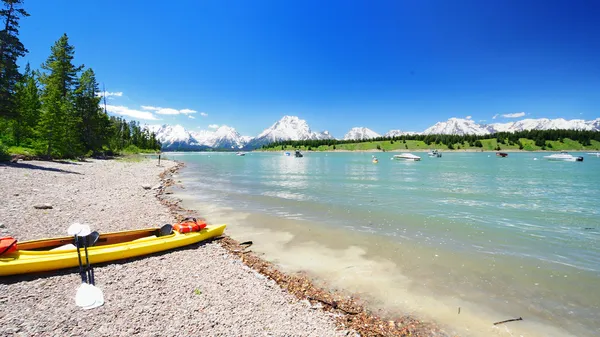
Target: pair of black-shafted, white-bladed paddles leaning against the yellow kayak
x: 88, y: 296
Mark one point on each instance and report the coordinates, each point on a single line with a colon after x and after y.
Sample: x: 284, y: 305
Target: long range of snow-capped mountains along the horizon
x: 176, y: 137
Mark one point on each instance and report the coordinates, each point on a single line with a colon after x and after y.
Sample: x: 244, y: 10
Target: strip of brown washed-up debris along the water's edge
x: 351, y: 312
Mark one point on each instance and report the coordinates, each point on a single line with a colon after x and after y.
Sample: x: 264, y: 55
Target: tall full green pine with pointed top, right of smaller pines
x: 59, y: 125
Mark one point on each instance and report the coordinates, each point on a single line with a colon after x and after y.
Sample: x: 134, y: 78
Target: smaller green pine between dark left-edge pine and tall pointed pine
x: 27, y: 108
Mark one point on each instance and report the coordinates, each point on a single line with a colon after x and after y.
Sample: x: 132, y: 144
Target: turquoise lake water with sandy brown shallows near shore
x: 498, y: 237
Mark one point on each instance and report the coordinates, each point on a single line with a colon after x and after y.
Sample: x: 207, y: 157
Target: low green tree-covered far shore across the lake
x: 529, y: 140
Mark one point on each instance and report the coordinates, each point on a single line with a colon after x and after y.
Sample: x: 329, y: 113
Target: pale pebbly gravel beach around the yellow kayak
x: 196, y: 290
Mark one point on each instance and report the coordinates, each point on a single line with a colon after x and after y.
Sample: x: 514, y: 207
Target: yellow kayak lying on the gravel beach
x: 59, y: 253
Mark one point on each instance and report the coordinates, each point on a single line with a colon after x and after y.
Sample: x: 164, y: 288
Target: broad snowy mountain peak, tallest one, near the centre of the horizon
x: 287, y: 128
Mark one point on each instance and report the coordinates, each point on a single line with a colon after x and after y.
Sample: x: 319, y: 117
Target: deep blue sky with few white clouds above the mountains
x: 338, y: 64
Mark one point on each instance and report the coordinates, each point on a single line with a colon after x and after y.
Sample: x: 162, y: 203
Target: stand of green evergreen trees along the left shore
x: 54, y: 111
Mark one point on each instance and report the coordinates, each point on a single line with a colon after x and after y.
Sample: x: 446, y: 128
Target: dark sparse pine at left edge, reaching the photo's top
x: 11, y: 49
